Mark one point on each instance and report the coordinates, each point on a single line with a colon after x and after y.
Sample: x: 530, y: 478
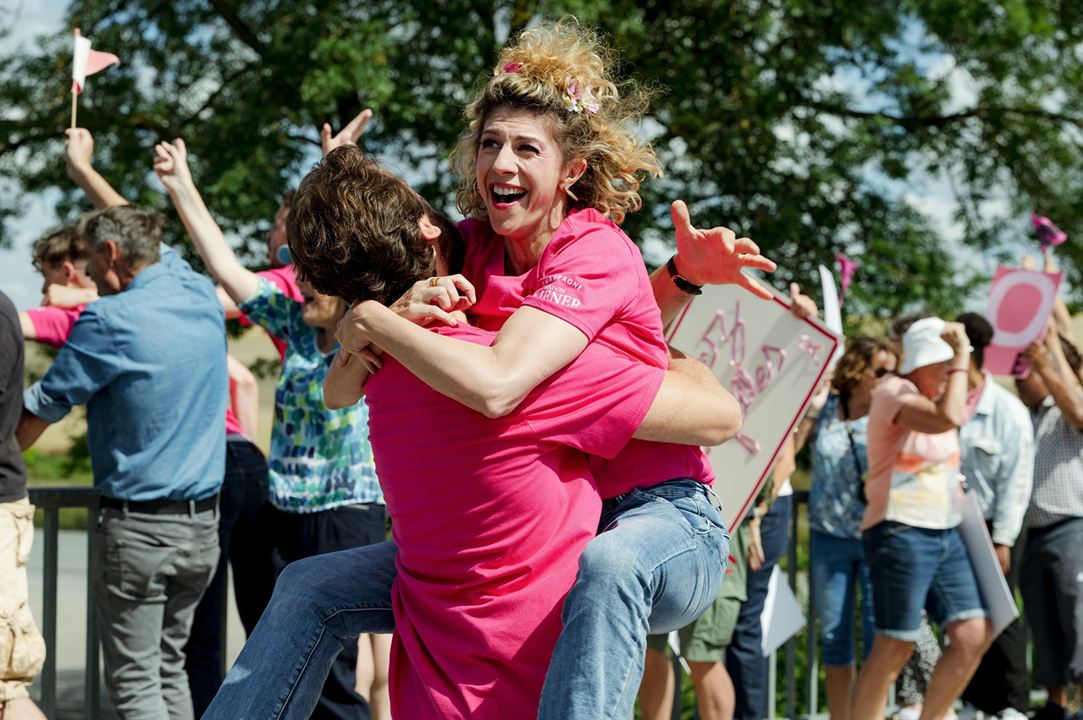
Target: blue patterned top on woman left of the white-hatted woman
x: 834, y: 505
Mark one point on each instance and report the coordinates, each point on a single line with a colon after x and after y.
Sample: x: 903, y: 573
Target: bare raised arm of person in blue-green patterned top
x: 172, y: 166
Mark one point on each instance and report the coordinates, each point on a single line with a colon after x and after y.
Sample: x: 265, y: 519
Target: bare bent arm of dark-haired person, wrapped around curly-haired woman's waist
x: 691, y: 408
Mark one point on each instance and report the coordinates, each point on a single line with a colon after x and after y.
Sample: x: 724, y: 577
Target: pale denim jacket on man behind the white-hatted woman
x: 998, y: 460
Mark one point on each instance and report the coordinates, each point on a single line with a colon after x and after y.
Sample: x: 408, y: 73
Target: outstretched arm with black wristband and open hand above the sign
x: 707, y: 257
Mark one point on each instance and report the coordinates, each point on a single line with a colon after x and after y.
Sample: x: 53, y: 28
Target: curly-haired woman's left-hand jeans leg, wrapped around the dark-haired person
x: 319, y: 605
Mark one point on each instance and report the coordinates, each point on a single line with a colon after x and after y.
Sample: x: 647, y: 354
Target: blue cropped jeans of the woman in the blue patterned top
x: 838, y: 567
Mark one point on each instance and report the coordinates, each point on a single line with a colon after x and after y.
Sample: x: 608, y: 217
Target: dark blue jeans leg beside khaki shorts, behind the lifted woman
x: 745, y: 658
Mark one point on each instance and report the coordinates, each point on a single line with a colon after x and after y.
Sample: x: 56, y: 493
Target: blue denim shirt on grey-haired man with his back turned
x: 150, y: 365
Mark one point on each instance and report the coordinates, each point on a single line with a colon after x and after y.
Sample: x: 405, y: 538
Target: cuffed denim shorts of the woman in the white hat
x: 915, y: 569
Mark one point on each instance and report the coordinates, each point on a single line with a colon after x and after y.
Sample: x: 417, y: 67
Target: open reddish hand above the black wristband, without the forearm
x: 716, y: 256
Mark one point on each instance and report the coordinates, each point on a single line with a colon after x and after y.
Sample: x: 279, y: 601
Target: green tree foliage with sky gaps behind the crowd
x: 808, y: 125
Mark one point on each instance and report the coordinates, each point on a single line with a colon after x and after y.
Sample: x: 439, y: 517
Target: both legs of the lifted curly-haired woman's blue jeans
x: 657, y: 568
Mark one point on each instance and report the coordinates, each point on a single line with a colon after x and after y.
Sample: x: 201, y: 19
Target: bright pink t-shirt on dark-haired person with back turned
x: 491, y: 517
